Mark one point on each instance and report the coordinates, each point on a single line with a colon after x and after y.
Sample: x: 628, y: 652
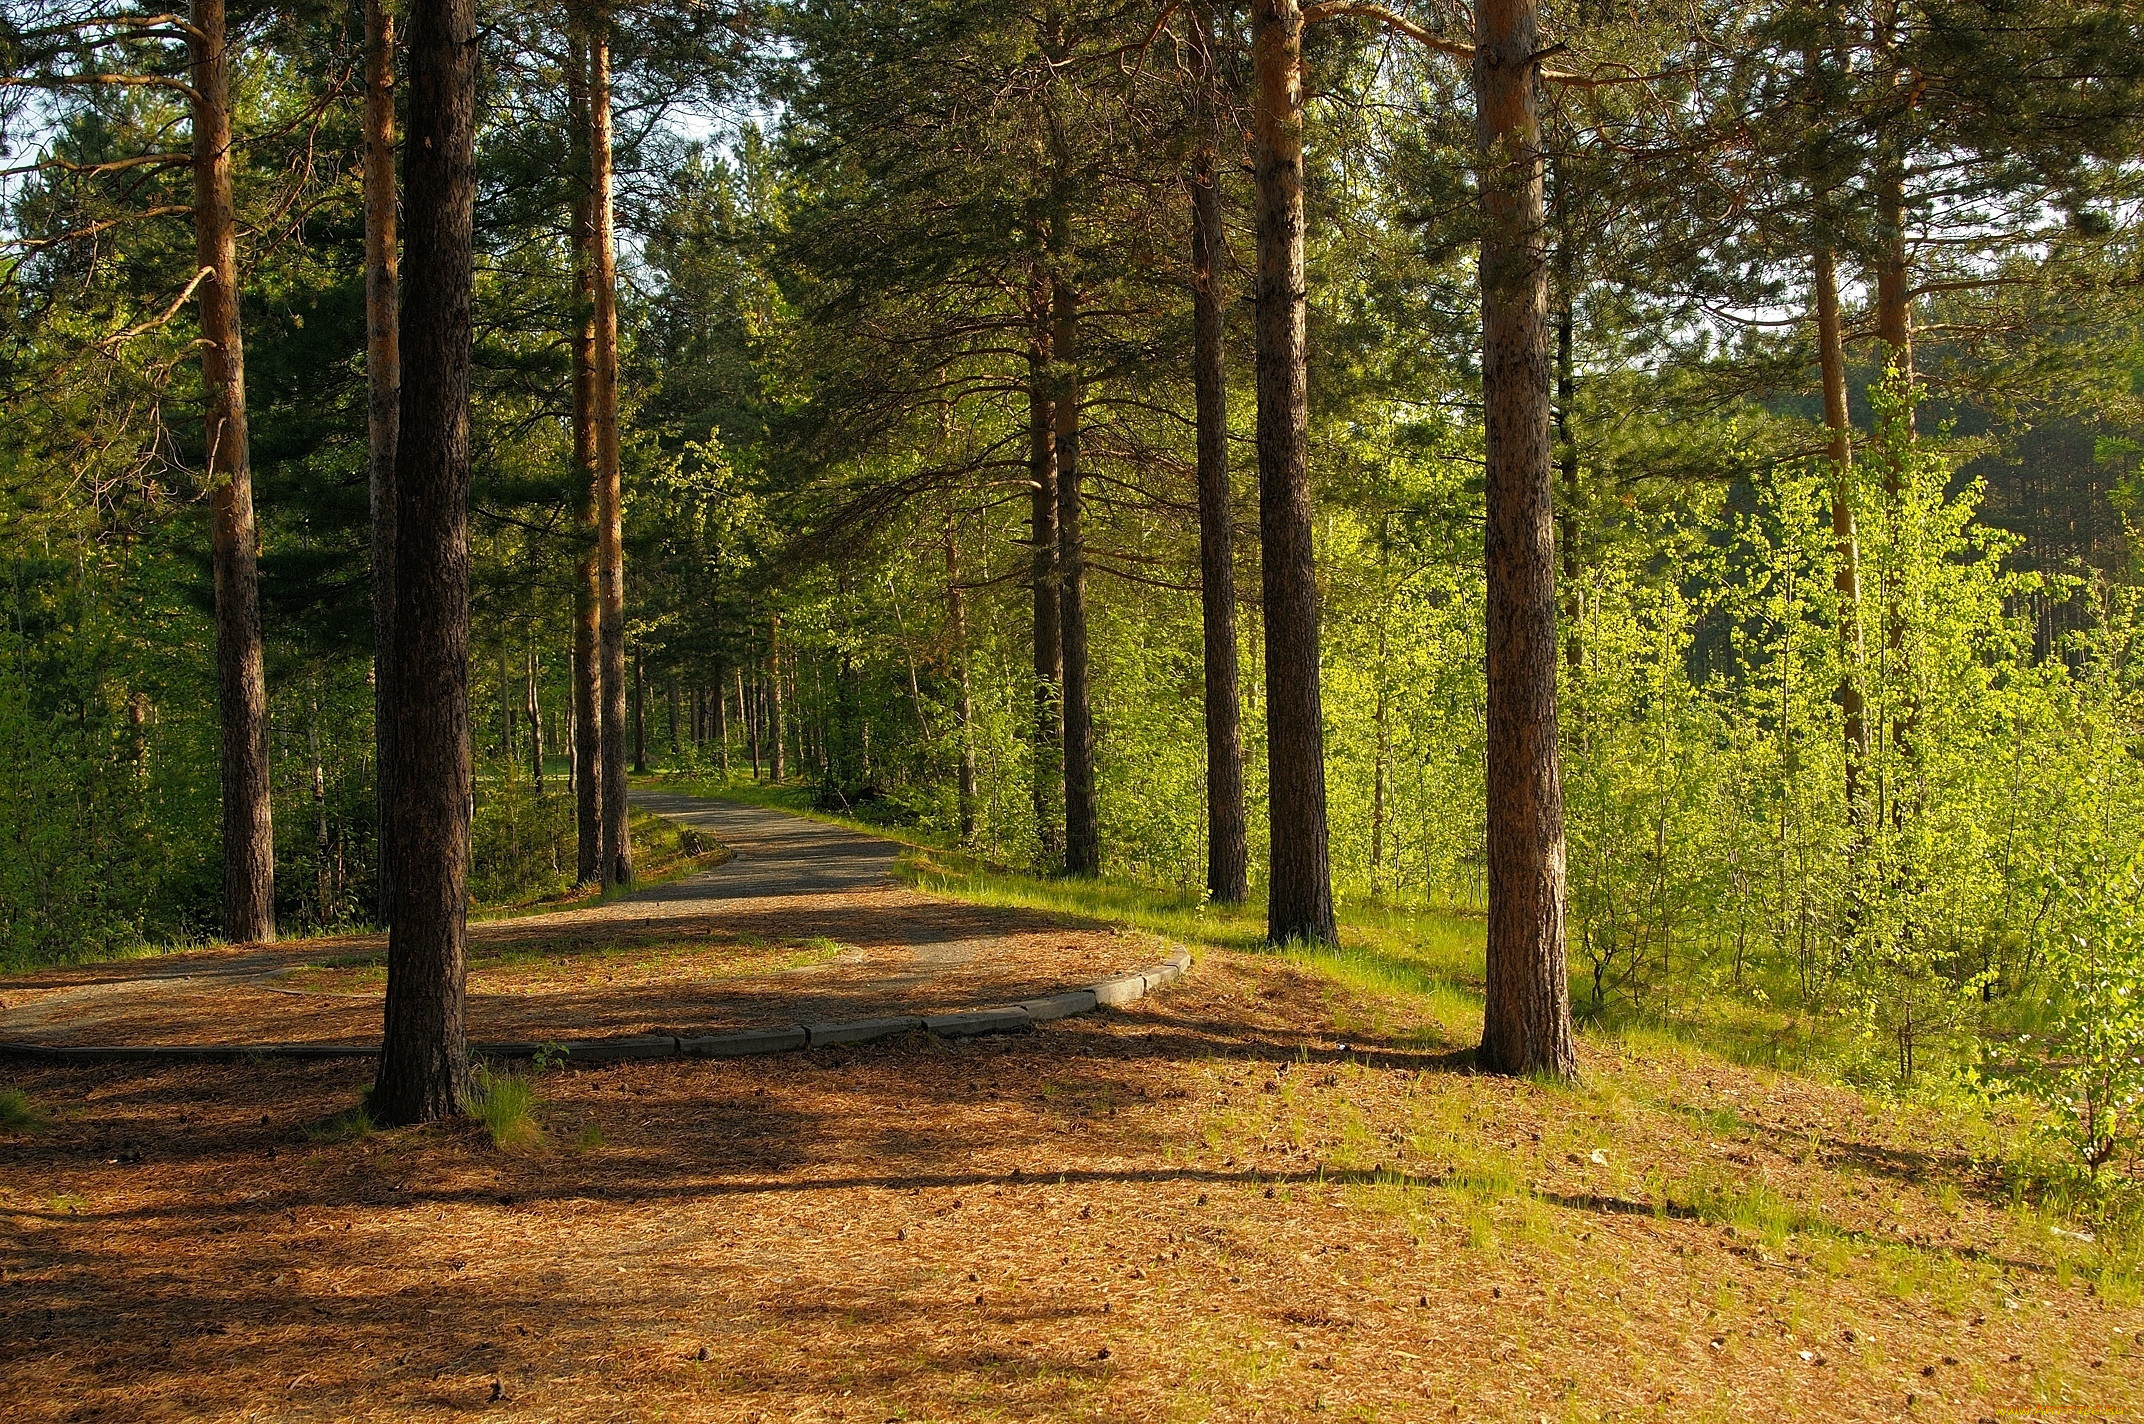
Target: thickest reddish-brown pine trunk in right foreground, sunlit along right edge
x: 1528, y: 1024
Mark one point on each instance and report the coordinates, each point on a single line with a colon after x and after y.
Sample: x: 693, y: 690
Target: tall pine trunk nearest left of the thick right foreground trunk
x: 1300, y: 902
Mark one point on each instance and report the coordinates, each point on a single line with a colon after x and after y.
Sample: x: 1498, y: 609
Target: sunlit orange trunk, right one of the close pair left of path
x: 610, y: 492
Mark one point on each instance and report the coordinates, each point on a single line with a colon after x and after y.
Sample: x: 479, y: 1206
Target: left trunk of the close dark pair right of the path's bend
x: 1043, y: 574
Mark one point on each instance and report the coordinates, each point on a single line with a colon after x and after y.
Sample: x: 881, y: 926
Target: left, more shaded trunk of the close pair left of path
x: 586, y: 602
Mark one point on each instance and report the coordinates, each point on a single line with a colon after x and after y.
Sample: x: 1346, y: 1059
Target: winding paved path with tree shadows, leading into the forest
x: 709, y: 953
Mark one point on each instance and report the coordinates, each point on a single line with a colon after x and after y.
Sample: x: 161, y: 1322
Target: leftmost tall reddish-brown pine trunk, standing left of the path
x: 241, y: 670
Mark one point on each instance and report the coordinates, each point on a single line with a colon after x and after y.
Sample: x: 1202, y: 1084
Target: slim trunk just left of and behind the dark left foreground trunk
x: 383, y: 381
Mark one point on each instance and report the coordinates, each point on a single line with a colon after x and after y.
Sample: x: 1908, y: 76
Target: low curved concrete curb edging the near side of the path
x: 779, y: 1039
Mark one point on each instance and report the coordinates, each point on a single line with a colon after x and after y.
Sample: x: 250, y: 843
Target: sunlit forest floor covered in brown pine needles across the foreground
x: 1272, y: 1191
